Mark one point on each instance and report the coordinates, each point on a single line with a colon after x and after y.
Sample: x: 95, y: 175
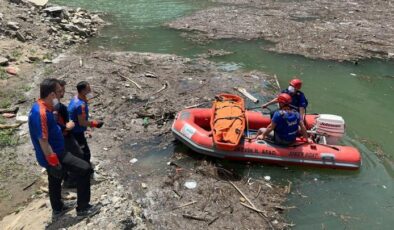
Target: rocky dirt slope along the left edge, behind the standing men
x: 29, y: 38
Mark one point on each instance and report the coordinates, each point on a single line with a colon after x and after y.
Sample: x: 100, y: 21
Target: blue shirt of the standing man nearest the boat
x: 77, y: 107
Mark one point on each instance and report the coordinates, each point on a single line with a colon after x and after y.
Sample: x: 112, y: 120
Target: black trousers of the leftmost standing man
x: 79, y: 167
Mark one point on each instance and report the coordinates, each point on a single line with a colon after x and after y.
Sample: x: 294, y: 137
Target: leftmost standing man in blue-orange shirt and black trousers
x: 48, y: 142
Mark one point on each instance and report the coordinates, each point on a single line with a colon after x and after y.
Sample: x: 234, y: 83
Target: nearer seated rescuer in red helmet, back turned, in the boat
x: 285, y: 123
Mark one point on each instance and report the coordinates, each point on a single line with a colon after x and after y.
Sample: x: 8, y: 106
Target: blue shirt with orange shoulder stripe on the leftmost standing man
x: 42, y: 125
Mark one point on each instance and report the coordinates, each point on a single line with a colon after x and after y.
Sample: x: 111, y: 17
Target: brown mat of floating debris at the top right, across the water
x: 333, y: 30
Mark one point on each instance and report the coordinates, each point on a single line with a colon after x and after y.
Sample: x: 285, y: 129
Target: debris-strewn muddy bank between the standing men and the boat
x: 137, y: 96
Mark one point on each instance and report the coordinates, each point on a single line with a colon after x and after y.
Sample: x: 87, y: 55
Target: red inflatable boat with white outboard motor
x: 192, y: 127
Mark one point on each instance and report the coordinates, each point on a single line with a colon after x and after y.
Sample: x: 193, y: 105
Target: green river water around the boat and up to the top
x: 362, y: 94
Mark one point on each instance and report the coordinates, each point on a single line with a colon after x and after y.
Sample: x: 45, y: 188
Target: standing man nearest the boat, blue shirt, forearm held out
x: 78, y: 110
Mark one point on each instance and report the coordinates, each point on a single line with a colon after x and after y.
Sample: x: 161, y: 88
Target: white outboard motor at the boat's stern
x: 330, y: 127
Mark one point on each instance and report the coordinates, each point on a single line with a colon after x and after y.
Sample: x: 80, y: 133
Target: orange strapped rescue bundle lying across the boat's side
x: 228, y: 121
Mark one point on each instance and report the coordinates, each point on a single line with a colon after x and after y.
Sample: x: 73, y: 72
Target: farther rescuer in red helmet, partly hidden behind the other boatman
x: 298, y: 99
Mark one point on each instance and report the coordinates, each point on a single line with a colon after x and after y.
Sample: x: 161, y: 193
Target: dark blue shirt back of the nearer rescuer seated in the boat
x: 286, y: 124
